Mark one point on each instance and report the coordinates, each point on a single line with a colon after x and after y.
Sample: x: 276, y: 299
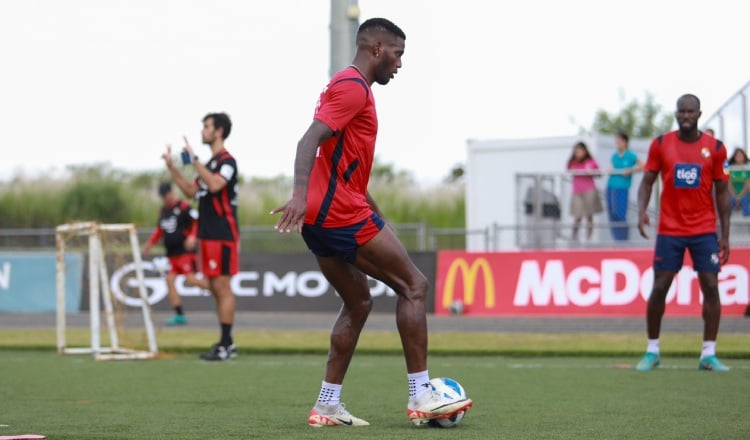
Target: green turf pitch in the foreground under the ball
x: 269, y: 395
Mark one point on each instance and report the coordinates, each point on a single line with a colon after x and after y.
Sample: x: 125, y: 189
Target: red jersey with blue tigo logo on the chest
x: 688, y: 171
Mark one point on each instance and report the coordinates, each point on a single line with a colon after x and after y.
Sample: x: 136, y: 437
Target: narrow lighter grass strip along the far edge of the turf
x: 191, y: 340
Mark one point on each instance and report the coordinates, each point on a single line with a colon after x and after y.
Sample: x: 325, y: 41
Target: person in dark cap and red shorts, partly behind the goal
x: 178, y: 226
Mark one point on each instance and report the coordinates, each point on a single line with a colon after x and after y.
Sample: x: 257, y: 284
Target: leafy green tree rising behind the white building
x: 638, y: 119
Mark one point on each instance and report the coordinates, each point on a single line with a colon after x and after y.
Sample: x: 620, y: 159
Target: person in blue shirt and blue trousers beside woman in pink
x: 623, y: 164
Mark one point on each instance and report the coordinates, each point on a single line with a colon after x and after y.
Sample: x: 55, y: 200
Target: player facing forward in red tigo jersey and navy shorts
x: 693, y: 167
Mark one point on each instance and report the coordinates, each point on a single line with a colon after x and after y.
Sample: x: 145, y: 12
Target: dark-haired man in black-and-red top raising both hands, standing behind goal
x: 218, y: 230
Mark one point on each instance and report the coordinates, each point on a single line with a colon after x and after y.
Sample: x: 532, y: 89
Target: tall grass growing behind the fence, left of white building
x: 110, y: 195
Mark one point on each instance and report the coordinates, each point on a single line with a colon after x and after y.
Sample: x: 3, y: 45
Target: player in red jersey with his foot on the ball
x: 345, y: 230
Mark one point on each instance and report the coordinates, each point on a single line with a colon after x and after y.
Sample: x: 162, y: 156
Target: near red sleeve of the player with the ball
x: 341, y: 102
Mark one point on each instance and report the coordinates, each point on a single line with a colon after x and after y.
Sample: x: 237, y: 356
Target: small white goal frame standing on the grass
x: 99, y: 290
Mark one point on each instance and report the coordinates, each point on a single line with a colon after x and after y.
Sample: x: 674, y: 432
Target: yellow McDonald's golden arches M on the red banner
x: 469, y: 274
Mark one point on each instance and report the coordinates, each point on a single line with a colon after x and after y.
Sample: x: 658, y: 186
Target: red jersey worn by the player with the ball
x: 337, y: 191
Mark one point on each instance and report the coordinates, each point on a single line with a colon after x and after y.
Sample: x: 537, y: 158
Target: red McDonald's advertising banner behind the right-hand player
x: 613, y: 282
